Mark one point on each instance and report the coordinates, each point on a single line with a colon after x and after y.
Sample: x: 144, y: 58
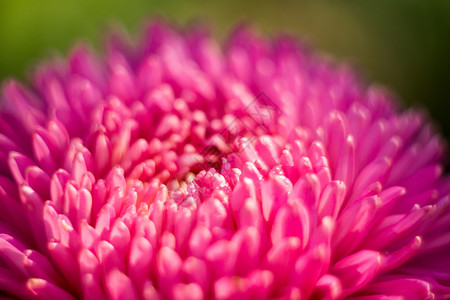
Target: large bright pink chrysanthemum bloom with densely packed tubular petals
x: 178, y: 170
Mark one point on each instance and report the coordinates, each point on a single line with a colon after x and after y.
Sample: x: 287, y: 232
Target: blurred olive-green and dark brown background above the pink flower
x: 403, y: 44
